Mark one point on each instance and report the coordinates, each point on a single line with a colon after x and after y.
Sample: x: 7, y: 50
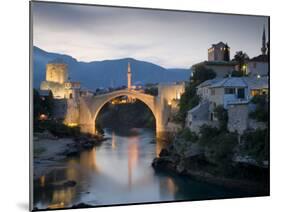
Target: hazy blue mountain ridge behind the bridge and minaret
x: 106, y: 73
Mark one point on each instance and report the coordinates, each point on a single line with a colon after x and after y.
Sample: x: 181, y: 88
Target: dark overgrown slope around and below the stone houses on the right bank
x: 214, y: 154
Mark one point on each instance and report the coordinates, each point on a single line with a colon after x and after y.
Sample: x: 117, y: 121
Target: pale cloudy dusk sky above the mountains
x: 167, y: 38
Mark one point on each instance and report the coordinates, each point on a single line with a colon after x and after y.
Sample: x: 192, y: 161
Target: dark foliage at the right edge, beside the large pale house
x: 261, y: 112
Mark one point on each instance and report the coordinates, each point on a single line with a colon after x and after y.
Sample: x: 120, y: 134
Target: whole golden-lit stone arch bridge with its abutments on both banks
x: 88, y: 107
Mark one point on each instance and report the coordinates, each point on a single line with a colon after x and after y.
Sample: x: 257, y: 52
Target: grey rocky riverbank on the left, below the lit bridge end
x: 50, y: 150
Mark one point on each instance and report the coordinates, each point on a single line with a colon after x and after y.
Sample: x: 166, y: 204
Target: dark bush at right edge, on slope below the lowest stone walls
x: 256, y: 144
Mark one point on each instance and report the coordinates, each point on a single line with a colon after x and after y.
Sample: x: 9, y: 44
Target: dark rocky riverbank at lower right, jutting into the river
x: 190, y: 159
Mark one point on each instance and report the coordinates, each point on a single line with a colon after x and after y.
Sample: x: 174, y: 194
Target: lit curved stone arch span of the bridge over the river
x: 99, y: 102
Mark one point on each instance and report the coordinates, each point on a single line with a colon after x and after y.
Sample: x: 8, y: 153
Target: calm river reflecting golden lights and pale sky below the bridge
x: 119, y: 172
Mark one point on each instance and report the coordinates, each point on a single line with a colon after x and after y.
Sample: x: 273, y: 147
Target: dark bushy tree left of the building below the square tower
x: 201, y: 74
